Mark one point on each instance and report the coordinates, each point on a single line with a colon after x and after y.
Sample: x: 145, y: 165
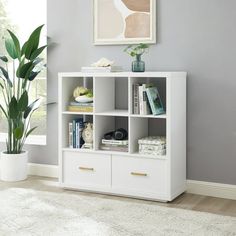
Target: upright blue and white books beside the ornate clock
x: 75, y: 133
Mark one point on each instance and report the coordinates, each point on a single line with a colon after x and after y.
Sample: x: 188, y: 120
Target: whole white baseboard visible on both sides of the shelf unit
x: 196, y: 187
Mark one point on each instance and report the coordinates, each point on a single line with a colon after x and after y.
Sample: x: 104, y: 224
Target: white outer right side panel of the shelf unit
x: 177, y: 134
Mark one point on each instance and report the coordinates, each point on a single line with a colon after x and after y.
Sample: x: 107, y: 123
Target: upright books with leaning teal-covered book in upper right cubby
x: 146, y: 100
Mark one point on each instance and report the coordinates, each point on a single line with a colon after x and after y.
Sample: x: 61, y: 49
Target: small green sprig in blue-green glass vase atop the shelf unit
x: 137, y: 51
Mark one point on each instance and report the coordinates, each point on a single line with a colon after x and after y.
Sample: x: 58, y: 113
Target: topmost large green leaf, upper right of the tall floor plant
x: 33, y: 42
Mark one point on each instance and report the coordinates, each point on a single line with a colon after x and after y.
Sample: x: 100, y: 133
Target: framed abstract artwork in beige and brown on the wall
x: 124, y: 22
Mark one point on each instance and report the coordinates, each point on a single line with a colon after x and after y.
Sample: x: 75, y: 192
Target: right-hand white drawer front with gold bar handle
x: 139, y: 175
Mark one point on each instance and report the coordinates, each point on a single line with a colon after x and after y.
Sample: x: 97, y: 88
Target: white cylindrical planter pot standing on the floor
x: 13, y: 167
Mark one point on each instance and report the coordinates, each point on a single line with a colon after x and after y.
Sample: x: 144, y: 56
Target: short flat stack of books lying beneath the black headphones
x: 114, y: 145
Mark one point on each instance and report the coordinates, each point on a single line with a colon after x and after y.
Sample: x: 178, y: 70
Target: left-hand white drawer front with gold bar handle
x: 88, y: 170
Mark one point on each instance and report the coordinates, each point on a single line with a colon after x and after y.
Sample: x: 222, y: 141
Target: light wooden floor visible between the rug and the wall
x: 188, y: 201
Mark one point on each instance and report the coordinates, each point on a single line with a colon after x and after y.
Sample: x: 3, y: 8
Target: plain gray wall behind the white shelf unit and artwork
x: 196, y: 36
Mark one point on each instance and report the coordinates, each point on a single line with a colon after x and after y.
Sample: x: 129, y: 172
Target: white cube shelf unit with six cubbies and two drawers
x: 160, y: 178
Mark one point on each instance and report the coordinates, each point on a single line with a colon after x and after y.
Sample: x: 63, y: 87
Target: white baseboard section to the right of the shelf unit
x: 212, y: 189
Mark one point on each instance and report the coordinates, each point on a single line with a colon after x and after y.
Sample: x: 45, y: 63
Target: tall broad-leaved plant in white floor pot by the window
x: 15, y: 104
